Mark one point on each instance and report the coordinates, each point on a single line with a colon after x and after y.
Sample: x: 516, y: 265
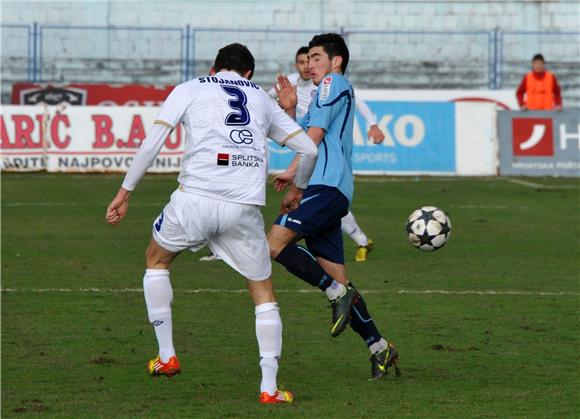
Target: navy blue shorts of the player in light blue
x: 318, y: 220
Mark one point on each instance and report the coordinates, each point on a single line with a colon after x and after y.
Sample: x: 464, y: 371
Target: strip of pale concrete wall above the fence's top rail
x: 314, y: 14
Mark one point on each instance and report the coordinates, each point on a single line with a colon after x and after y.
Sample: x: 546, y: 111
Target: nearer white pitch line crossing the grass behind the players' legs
x: 299, y: 291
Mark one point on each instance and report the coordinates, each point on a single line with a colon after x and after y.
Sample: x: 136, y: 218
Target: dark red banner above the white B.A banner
x: 89, y: 94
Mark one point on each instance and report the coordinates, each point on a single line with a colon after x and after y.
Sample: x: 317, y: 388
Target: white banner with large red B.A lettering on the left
x: 80, y: 139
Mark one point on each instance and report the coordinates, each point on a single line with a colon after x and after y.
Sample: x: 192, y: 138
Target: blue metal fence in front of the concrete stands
x: 380, y: 59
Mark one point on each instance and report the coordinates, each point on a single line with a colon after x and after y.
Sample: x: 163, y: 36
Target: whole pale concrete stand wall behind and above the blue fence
x: 378, y: 60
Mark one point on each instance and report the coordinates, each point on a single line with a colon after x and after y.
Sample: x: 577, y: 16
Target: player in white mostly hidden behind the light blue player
x: 305, y: 91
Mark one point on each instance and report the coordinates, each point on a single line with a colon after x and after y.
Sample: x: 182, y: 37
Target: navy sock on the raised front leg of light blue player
x: 298, y: 261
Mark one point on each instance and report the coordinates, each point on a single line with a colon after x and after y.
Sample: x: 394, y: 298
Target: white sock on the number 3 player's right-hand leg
x: 269, y: 334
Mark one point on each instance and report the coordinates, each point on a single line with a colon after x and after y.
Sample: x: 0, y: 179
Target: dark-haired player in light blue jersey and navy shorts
x: 329, y: 123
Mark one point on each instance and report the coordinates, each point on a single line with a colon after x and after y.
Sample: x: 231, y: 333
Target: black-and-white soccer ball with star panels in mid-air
x: 428, y: 228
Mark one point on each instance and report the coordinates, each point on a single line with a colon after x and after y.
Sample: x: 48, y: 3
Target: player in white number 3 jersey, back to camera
x: 227, y: 121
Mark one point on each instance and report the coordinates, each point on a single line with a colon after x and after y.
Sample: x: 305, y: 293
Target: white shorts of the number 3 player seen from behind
x: 234, y: 232
